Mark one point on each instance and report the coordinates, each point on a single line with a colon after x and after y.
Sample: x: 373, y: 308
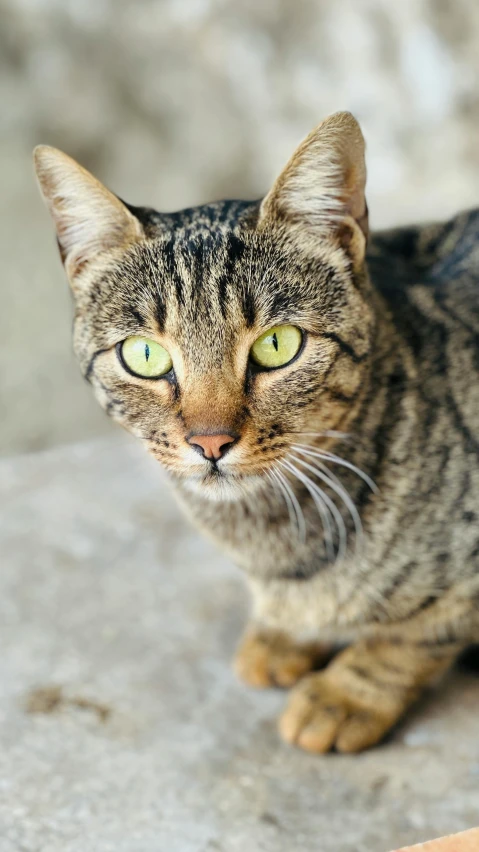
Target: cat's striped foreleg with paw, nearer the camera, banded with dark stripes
x: 358, y: 698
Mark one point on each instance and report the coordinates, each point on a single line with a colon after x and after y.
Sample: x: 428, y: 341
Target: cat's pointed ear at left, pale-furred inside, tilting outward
x: 88, y: 218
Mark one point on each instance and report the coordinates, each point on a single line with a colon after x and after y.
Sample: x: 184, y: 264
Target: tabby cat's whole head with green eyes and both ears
x: 225, y: 334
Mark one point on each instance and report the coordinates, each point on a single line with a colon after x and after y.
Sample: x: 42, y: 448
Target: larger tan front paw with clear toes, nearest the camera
x: 321, y: 715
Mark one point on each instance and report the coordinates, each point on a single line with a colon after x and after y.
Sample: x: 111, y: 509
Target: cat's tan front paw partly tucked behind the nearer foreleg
x: 267, y: 657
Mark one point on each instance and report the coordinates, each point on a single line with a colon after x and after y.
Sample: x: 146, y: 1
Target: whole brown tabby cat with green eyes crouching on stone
x: 312, y: 392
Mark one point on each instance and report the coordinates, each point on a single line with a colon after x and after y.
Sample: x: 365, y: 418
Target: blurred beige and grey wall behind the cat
x: 174, y: 102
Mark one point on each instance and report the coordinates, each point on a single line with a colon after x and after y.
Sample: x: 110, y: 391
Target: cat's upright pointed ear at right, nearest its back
x: 320, y: 192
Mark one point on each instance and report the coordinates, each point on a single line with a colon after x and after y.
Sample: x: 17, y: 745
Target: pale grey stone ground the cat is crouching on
x: 152, y: 745
